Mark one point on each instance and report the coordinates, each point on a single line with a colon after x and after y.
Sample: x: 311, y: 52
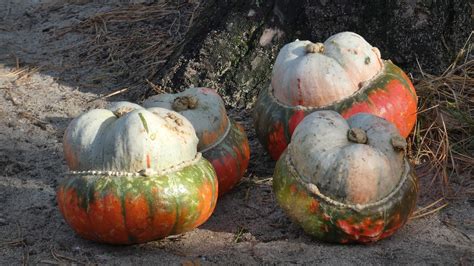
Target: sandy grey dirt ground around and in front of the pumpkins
x: 38, y: 98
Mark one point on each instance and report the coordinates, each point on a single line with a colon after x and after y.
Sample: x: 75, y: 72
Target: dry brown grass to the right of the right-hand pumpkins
x: 443, y: 140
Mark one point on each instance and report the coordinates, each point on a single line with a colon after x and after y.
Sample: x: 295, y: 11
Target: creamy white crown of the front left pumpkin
x: 129, y: 138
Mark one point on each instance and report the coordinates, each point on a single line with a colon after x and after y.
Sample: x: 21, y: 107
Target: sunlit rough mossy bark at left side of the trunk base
x: 232, y: 47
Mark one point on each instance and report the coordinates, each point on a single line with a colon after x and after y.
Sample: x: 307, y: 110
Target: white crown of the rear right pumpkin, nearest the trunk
x: 319, y: 74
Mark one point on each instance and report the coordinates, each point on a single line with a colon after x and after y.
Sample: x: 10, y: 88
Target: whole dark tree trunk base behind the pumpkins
x: 232, y: 44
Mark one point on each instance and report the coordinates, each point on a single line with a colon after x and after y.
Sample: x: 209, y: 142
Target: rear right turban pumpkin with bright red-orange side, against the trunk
x: 345, y: 74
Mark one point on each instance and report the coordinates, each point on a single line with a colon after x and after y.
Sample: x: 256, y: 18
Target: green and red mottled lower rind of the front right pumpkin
x: 331, y: 221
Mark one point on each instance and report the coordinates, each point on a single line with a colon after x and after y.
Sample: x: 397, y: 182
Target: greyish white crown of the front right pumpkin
x: 358, y: 161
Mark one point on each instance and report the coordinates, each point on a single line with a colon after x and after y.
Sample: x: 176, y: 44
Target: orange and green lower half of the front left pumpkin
x: 127, y: 210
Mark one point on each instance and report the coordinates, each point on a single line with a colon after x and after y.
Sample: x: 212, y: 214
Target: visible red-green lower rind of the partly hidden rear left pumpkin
x: 230, y: 157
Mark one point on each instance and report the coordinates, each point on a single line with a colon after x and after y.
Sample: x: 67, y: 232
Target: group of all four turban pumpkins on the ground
x: 141, y: 173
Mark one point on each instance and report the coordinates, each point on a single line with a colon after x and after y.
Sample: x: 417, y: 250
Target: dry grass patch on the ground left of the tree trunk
x: 132, y: 43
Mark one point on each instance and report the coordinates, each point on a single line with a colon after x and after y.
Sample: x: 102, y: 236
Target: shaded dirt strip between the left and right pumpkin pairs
x: 249, y: 210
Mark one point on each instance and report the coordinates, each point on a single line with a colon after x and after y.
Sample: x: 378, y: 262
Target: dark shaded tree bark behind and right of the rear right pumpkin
x: 432, y: 31
